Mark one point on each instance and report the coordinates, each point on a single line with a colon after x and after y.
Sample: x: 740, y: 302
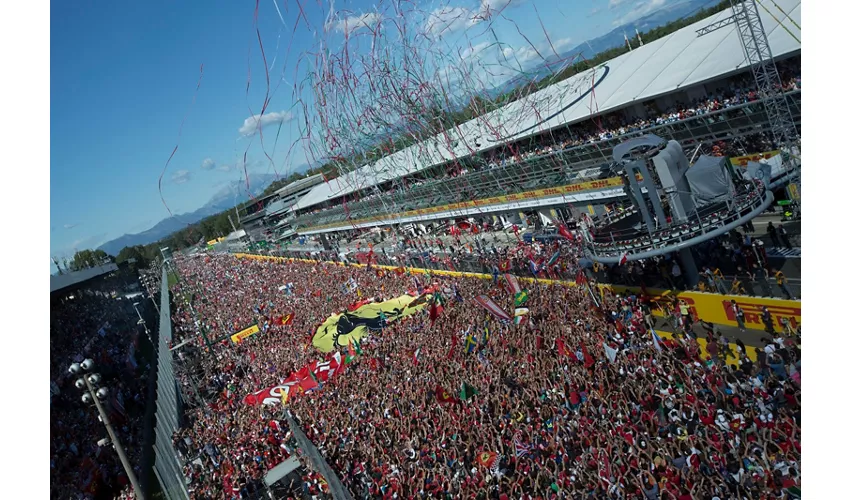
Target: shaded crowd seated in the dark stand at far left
x: 92, y: 323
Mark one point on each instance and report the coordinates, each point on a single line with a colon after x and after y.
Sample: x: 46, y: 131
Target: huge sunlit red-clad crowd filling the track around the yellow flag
x: 579, y: 401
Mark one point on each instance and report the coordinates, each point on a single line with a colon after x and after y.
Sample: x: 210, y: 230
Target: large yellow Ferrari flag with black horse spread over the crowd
x: 339, y: 329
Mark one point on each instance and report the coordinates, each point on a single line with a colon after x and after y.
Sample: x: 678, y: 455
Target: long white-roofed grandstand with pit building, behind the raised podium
x: 684, y: 87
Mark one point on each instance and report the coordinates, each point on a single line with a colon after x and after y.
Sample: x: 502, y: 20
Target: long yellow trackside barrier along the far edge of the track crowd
x: 710, y: 307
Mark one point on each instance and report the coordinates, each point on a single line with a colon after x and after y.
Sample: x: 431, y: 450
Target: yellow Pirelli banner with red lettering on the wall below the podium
x: 717, y: 308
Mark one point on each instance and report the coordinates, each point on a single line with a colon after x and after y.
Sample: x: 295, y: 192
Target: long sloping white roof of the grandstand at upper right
x: 672, y: 63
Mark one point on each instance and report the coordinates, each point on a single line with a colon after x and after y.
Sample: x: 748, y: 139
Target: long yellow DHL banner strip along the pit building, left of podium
x: 496, y: 200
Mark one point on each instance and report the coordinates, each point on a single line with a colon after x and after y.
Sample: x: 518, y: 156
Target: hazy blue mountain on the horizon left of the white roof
x: 226, y: 198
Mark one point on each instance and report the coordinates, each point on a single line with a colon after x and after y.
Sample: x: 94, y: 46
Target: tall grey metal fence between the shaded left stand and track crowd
x: 167, y: 467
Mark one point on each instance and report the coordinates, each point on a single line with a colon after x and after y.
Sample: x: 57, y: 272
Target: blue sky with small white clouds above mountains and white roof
x: 123, y: 76
